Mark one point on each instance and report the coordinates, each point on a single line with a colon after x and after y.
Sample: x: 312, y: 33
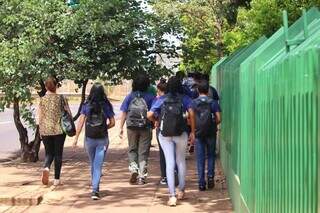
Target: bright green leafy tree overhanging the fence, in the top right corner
x: 263, y: 18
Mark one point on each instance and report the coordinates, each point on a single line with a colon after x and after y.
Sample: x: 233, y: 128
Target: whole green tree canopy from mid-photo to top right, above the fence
x: 210, y: 29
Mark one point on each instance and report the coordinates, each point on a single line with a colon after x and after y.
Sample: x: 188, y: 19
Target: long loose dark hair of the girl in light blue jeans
x: 97, y: 98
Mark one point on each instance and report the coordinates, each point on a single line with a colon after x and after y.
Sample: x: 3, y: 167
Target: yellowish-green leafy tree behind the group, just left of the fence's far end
x: 202, y: 25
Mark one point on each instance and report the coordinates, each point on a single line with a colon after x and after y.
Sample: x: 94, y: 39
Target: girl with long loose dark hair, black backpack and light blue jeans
x: 98, y: 116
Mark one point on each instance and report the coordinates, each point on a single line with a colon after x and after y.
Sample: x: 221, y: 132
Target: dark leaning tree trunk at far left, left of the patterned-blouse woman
x: 28, y: 153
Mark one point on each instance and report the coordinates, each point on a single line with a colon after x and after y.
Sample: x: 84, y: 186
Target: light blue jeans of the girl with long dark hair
x: 96, y: 149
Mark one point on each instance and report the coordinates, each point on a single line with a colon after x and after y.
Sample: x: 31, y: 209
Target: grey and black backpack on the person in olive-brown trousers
x: 137, y: 112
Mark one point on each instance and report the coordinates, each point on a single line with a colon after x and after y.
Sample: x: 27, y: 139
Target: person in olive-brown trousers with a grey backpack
x: 139, y: 130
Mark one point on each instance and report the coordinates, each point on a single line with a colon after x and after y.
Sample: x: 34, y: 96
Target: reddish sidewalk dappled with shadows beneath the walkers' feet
x: 115, y: 189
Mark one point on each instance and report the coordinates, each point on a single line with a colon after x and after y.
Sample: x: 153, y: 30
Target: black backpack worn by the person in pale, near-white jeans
x: 172, y: 122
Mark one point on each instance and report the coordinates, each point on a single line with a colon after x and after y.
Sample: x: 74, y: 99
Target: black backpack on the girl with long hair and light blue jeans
x: 96, y: 126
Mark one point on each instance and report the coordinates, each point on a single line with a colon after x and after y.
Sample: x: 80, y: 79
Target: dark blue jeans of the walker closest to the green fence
x: 205, y: 146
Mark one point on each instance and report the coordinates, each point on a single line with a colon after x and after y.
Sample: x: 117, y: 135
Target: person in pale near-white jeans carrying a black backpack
x: 171, y: 110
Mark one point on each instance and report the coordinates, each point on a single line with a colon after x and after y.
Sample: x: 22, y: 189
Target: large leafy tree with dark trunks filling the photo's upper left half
x: 110, y: 40
